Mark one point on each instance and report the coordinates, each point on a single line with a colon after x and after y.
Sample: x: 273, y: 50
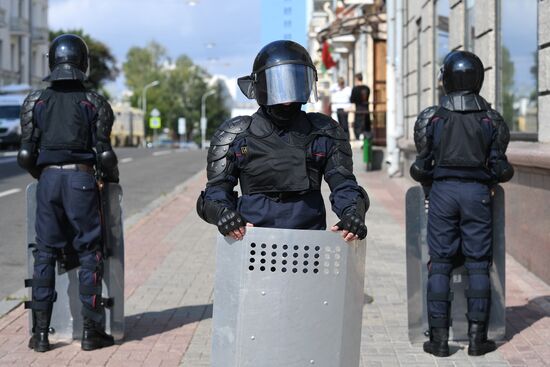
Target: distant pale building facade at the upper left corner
x: 24, y: 41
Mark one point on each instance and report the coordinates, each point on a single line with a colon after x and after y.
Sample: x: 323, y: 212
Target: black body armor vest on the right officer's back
x: 462, y: 142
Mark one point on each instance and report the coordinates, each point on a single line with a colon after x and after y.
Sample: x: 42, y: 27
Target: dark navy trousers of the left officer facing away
x: 67, y: 213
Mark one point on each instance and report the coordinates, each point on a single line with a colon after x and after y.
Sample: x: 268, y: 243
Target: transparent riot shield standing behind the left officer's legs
x: 66, y: 323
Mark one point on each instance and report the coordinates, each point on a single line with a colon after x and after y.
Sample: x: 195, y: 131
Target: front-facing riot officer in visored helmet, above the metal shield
x: 280, y: 154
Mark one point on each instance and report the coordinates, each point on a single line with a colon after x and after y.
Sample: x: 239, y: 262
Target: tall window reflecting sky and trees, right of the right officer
x: 519, y: 64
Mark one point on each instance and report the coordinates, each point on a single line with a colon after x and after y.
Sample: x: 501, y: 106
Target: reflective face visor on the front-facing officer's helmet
x: 286, y: 83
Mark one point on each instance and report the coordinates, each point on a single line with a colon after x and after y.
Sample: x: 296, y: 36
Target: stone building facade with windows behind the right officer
x: 512, y: 38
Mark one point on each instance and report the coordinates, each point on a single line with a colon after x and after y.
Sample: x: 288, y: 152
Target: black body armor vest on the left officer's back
x: 65, y: 125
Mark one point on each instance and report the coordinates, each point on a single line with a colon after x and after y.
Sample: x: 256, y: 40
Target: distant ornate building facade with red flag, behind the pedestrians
x: 355, y: 33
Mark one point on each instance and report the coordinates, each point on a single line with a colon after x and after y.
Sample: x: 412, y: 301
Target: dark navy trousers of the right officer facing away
x: 459, y: 223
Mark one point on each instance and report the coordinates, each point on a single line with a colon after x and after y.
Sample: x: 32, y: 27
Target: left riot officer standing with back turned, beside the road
x: 65, y: 133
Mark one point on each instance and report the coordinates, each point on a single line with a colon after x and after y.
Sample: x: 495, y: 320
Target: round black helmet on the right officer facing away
x: 462, y: 71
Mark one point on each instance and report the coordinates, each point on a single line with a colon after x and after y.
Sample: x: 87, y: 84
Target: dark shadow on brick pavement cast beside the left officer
x: 146, y: 324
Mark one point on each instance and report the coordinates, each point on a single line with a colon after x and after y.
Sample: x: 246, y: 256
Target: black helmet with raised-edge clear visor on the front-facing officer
x: 282, y: 73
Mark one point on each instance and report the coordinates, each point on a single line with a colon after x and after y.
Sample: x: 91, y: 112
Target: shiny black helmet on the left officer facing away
x: 67, y: 58
